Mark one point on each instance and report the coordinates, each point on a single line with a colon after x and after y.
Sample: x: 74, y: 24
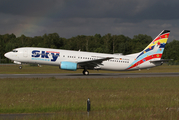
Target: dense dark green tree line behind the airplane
x: 97, y: 43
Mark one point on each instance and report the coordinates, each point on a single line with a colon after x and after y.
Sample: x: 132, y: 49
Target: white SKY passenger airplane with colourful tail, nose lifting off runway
x: 73, y: 60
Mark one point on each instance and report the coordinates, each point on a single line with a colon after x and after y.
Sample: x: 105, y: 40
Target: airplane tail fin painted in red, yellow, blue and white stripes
x: 153, y: 52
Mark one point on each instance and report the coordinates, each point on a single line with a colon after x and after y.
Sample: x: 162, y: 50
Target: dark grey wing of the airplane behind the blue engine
x: 93, y: 63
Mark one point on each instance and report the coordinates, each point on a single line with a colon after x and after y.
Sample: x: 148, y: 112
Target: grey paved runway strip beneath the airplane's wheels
x: 92, y: 75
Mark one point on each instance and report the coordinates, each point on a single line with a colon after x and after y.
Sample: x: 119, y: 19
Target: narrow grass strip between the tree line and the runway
x: 45, y: 69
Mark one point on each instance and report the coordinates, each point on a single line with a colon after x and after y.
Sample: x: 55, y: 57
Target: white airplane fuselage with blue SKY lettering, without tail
x: 49, y: 56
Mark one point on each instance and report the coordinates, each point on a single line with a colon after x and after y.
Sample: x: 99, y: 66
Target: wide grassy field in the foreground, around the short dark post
x: 114, y: 98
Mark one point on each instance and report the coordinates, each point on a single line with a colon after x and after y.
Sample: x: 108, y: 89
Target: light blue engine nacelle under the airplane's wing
x: 68, y: 66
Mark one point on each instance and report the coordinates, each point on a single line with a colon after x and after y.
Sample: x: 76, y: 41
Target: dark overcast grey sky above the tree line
x: 70, y: 18
